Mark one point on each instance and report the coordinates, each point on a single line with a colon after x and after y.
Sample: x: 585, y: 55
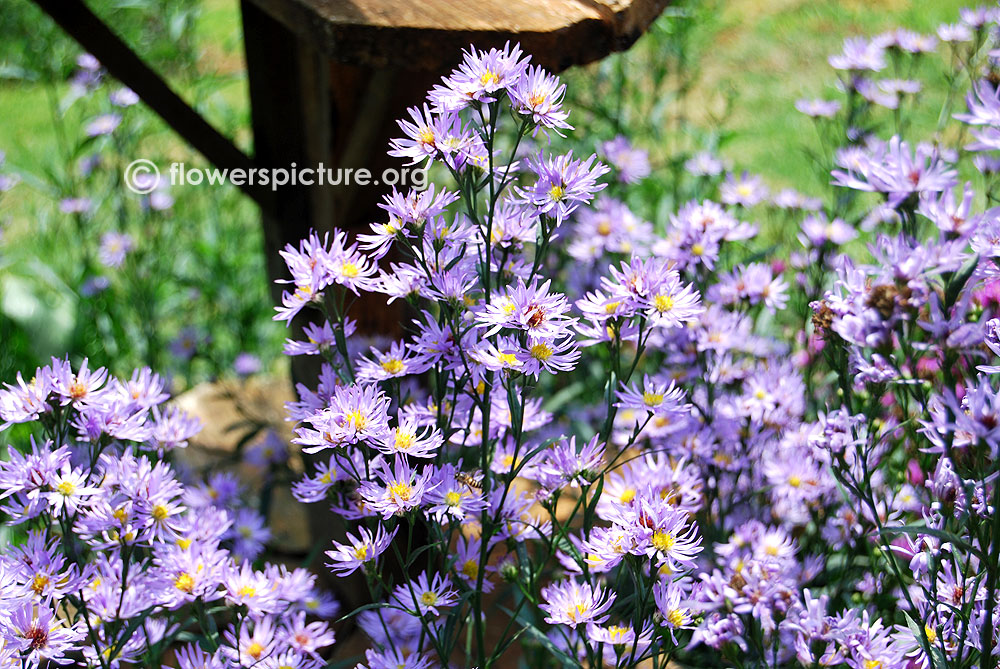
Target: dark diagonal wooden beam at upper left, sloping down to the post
x: 115, y: 55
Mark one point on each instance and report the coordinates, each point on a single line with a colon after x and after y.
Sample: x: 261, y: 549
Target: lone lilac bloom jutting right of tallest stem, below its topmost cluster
x: 562, y: 184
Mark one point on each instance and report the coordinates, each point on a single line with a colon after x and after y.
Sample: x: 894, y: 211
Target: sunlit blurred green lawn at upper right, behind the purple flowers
x: 771, y: 53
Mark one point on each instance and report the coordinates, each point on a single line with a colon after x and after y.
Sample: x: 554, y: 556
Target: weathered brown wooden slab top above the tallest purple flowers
x: 429, y: 34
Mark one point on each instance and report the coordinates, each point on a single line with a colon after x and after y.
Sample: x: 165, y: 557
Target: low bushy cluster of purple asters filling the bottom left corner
x: 124, y: 556
